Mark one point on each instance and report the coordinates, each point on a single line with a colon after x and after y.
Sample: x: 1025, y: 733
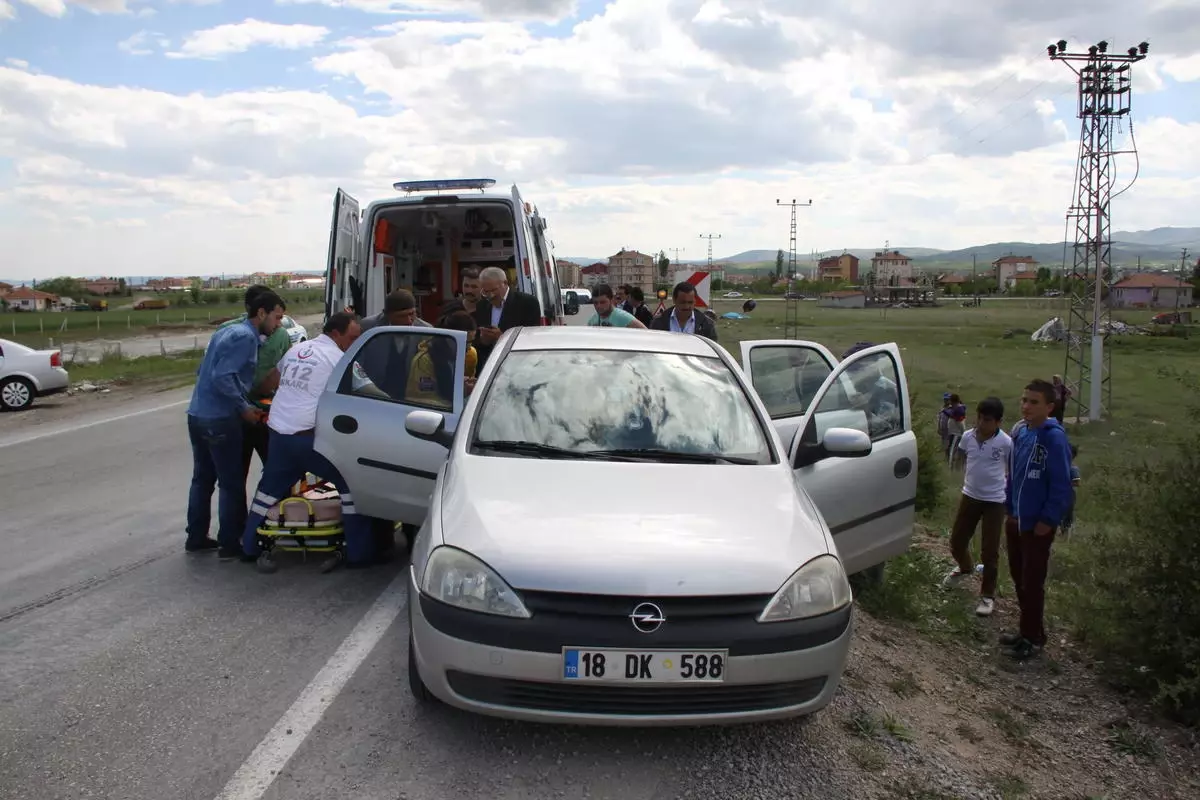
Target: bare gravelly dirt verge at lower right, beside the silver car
x: 932, y: 720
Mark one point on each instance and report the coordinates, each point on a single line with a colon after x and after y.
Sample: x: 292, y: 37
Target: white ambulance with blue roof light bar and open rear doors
x: 423, y: 240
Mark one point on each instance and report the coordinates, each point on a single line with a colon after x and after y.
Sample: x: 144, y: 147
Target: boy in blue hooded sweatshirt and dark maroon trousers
x: 1037, y: 497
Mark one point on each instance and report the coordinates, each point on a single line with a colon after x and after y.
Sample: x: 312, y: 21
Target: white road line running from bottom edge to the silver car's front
x: 256, y: 775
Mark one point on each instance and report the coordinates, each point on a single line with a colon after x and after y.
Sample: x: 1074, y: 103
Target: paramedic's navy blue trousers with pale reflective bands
x: 289, y: 459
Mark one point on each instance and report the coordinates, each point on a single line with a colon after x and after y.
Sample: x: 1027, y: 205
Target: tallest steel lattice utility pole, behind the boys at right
x: 1106, y: 95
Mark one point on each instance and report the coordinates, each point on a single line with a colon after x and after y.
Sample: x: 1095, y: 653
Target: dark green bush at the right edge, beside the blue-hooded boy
x: 1130, y: 590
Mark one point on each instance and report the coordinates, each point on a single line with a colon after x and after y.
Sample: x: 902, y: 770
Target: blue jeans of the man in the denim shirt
x: 217, y: 462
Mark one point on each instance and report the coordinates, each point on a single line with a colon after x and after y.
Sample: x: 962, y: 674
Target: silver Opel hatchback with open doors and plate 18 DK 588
x: 706, y: 579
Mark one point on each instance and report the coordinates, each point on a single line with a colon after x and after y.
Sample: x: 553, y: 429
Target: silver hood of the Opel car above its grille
x: 631, y: 528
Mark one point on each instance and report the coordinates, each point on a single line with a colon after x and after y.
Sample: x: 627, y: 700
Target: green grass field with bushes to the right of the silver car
x: 1124, y: 587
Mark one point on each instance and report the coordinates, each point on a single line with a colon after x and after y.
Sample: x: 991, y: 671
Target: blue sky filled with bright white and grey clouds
x: 177, y: 137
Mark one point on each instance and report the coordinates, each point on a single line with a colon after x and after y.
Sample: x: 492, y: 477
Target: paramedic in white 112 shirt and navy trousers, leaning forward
x: 304, y: 374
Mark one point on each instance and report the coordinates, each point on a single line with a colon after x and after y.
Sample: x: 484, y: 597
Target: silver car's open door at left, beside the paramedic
x: 361, y: 418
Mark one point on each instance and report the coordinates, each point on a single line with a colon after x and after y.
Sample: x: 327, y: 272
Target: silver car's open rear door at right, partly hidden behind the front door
x: 787, y: 375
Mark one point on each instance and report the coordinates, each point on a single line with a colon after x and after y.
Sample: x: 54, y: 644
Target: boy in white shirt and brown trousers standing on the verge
x: 987, y: 450
